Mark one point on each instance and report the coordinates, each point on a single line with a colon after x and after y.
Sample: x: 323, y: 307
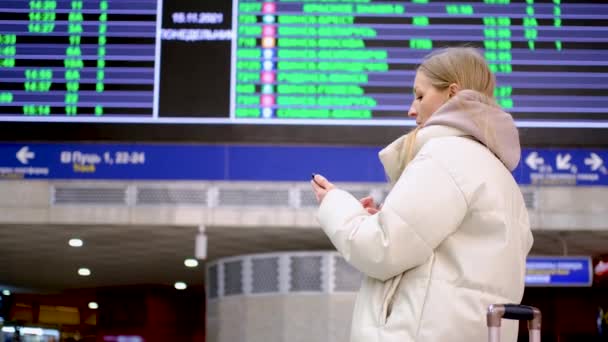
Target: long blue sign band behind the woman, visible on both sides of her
x: 261, y: 163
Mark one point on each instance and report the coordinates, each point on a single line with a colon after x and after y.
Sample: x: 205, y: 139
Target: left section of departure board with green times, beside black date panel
x: 75, y: 59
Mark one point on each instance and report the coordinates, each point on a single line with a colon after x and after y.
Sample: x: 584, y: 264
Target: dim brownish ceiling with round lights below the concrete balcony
x: 38, y: 257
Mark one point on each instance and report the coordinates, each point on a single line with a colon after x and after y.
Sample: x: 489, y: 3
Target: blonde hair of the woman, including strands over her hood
x: 463, y: 66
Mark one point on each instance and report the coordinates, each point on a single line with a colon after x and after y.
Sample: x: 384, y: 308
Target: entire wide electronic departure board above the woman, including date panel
x: 321, y: 62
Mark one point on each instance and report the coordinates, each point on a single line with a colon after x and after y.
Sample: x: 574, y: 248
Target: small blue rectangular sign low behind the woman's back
x: 559, y: 271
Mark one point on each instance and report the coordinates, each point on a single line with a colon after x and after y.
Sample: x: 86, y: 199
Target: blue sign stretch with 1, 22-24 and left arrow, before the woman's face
x: 188, y: 162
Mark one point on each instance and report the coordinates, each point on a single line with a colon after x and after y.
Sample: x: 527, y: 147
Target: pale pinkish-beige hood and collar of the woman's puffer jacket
x: 468, y: 113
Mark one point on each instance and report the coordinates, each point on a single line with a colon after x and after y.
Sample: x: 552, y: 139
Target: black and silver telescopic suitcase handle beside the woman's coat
x: 496, y: 312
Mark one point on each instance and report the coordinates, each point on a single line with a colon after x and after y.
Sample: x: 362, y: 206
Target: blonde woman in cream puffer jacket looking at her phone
x: 453, y: 233
